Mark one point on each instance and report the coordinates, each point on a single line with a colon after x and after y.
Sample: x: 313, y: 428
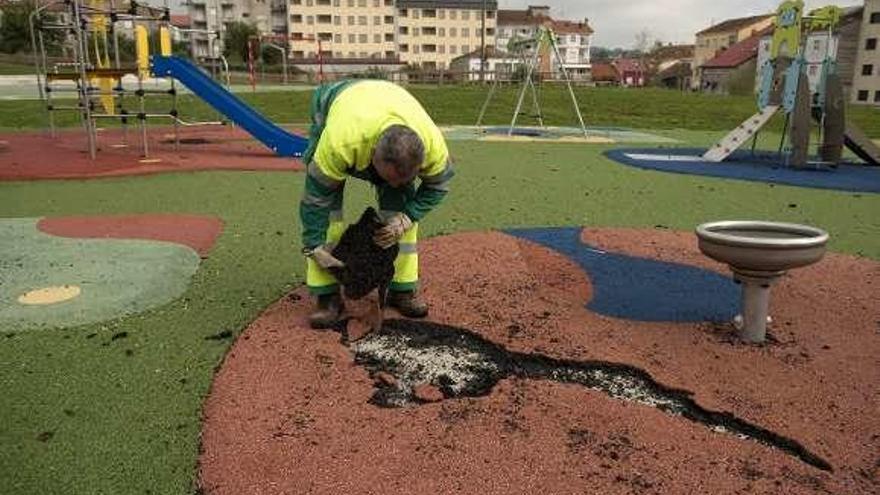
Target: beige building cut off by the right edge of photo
x: 866, y: 77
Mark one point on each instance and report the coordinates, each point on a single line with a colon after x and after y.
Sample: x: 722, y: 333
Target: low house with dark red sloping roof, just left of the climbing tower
x: 733, y: 70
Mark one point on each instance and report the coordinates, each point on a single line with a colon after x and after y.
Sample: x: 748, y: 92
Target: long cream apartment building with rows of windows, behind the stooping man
x: 426, y: 33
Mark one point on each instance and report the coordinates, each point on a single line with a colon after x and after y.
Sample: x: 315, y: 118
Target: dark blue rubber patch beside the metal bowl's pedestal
x: 642, y: 289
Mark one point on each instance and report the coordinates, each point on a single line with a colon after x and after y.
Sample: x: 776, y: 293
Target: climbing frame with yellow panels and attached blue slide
x: 98, y: 81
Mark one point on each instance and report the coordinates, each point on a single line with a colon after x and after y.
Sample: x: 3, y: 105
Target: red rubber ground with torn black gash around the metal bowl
x: 492, y: 395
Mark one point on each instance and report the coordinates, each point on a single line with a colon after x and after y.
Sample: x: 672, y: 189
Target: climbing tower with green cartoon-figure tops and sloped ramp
x: 784, y: 87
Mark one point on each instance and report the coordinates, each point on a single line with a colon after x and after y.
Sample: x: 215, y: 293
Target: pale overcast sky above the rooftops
x: 616, y: 22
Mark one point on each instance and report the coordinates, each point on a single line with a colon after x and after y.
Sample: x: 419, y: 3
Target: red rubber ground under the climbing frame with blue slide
x: 35, y: 156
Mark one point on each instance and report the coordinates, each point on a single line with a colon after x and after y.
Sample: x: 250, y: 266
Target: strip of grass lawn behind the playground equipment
x: 642, y: 108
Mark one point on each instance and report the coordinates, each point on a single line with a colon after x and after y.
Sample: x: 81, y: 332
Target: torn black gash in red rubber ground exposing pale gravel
x: 462, y: 364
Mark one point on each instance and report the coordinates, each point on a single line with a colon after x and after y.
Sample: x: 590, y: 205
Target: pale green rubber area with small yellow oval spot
x: 110, y: 278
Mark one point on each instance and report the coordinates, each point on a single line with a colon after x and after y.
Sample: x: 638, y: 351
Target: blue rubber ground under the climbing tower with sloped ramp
x: 743, y: 165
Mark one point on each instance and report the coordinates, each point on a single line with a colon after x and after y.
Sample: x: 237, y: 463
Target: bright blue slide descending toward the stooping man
x: 277, y: 139
